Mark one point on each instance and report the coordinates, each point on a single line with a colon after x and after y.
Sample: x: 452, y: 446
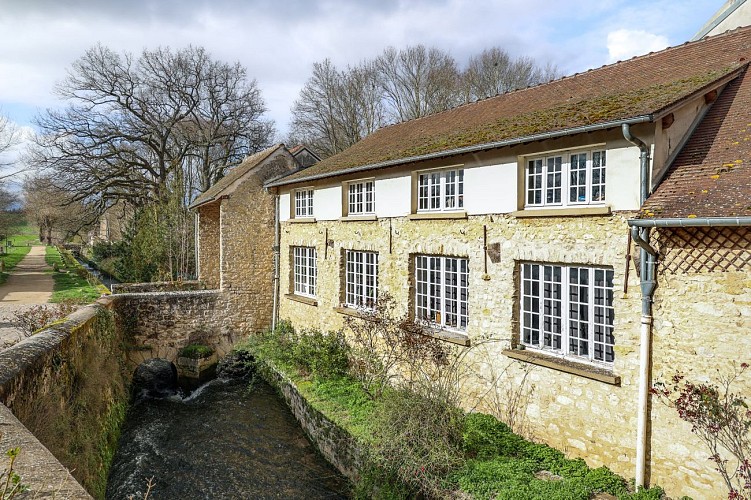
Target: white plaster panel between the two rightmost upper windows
x: 490, y: 189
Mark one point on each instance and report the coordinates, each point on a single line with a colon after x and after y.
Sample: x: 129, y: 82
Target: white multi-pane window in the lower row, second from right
x: 442, y: 291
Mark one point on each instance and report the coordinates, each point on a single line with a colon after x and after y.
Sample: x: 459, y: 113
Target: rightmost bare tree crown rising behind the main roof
x: 494, y: 72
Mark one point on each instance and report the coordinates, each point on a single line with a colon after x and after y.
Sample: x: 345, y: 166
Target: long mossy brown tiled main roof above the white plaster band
x: 640, y: 86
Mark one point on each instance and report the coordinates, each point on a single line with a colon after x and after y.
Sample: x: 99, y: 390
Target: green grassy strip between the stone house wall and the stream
x: 492, y: 462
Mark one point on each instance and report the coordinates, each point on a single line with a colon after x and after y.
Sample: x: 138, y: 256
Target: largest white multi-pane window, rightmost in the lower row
x: 568, y: 310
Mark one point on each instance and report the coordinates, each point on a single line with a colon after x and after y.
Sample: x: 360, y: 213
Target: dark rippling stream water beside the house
x: 226, y: 440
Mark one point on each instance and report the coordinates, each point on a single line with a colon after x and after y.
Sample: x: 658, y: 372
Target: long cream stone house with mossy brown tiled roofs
x: 595, y: 228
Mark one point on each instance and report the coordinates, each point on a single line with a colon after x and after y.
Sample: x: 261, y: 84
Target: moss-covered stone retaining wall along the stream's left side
x: 67, y: 389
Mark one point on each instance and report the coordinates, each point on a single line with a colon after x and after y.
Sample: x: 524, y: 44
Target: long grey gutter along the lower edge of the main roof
x: 467, y: 149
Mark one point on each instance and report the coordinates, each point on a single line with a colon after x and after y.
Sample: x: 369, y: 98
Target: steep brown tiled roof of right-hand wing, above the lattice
x: 711, y: 177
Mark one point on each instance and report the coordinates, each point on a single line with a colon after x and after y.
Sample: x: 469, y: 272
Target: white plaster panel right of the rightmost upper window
x: 622, y: 181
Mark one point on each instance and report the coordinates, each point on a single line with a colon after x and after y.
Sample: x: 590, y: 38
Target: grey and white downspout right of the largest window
x: 648, y: 258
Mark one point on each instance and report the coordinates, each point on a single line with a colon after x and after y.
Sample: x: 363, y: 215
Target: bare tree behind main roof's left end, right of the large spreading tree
x: 337, y: 108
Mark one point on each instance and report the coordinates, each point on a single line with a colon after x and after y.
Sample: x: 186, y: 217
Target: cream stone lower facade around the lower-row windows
x: 583, y: 417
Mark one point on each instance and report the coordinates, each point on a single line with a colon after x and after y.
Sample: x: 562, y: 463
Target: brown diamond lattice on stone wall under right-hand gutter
x: 697, y: 249
